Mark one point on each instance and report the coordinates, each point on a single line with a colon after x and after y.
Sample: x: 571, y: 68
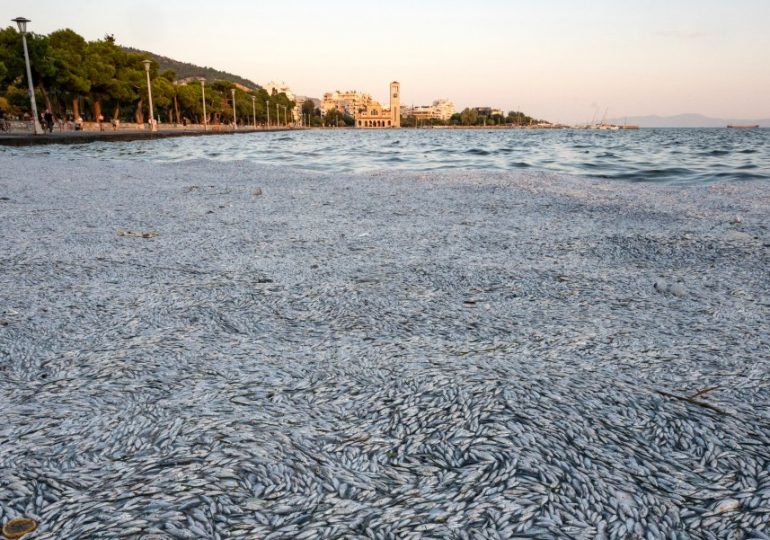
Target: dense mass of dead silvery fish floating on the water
x: 215, y: 350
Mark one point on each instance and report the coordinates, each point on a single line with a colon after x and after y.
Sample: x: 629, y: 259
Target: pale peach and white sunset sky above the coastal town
x: 560, y: 60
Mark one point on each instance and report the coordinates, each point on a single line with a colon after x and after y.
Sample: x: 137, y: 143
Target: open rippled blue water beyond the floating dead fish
x: 647, y: 155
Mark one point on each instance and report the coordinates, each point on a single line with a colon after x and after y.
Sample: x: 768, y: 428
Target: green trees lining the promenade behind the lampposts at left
x: 77, y: 78
